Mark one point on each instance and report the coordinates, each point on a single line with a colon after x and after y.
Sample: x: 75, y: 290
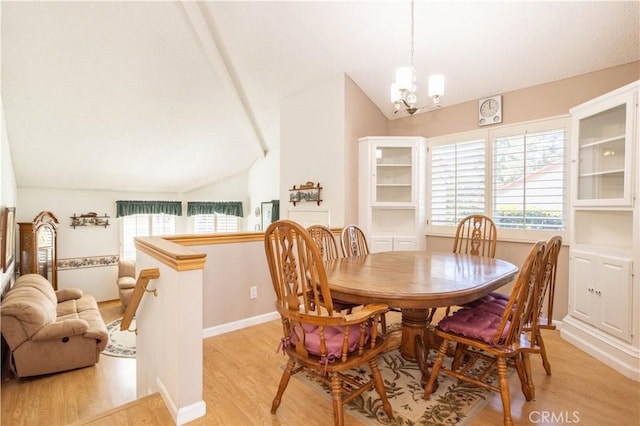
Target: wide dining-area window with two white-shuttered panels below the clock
x: 515, y: 174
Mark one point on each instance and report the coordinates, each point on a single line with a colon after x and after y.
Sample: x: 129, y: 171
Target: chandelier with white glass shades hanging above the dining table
x: 403, y: 90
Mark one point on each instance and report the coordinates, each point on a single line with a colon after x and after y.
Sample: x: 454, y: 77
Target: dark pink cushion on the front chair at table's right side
x: 474, y: 323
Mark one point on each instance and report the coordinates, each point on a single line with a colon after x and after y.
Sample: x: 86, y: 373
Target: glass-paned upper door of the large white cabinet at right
x: 603, y: 153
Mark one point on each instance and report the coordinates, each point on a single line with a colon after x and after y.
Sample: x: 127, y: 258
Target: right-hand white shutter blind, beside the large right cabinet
x: 529, y: 184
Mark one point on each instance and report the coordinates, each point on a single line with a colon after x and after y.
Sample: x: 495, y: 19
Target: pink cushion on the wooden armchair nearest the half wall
x: 334, y: 338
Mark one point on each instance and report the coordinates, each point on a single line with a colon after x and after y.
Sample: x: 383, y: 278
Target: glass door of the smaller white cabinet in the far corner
x: 394, y: 173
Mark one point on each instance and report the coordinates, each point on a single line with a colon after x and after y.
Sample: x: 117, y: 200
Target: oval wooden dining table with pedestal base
x: 415, y: 282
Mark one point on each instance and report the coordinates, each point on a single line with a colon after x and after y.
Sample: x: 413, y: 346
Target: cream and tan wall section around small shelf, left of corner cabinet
x: 320, y: 128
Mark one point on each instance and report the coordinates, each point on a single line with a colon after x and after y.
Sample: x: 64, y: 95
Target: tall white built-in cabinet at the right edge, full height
x: 604, y: 303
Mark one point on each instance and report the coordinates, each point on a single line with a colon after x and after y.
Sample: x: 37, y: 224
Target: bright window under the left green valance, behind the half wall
x: 143, y: 225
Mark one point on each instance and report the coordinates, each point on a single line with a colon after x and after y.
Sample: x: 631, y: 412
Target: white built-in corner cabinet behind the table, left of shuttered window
x: 391, y: 208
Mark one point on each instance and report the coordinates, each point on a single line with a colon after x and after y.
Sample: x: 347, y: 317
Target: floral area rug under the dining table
x: 453, y: 403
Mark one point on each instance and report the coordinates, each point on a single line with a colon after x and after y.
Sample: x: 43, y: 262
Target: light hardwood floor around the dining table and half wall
x: 242, y: 370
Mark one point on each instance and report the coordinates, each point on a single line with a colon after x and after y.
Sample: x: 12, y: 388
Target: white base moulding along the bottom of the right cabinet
x: 622, y: 357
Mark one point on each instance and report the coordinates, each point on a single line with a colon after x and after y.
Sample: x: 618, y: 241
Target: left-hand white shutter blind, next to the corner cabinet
x: 457, y: 181
